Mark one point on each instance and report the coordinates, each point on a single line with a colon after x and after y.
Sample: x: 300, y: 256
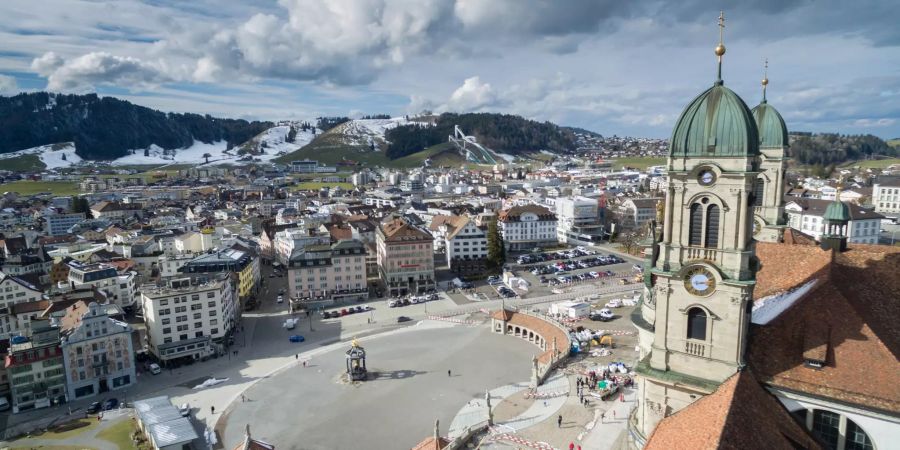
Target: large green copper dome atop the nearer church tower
x: 715, y: 124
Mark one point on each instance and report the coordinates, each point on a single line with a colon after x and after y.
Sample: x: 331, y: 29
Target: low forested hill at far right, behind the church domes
x: 827, y: 148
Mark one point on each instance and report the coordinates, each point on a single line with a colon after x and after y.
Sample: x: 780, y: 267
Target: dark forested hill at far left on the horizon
x: 105, y: 128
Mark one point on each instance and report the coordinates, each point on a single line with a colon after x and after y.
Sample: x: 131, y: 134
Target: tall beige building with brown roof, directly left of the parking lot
x: 405, y: 256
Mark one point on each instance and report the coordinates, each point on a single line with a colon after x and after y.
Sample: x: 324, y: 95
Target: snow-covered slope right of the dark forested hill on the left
x: 266, y: 146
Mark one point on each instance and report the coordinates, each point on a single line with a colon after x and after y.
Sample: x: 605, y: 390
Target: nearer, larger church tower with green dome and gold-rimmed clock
x: 696, y: 307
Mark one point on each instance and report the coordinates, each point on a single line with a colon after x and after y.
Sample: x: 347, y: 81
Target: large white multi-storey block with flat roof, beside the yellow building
x: 186, y: 315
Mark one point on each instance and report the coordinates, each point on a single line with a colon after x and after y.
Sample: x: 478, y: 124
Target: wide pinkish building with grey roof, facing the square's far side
x: 329, y: 272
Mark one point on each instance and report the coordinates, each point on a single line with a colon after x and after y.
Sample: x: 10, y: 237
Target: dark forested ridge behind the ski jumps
x: 499, y: 132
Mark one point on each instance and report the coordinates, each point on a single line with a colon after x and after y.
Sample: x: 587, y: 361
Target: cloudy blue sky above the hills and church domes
x: 610, y: 66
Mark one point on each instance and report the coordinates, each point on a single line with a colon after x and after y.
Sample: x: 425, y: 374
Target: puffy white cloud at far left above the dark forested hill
x: 92, y: 69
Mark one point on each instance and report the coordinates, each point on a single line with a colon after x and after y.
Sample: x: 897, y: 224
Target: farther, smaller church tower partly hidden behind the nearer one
x: 768, y: 188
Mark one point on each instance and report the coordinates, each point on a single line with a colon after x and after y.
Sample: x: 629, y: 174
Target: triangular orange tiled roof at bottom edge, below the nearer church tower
x: 740, y: 414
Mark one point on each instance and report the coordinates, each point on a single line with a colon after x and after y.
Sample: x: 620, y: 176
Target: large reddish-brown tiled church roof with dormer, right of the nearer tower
x: 846, y: 323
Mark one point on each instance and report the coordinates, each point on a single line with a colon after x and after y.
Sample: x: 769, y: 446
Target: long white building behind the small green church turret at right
x: 805, y: 214
